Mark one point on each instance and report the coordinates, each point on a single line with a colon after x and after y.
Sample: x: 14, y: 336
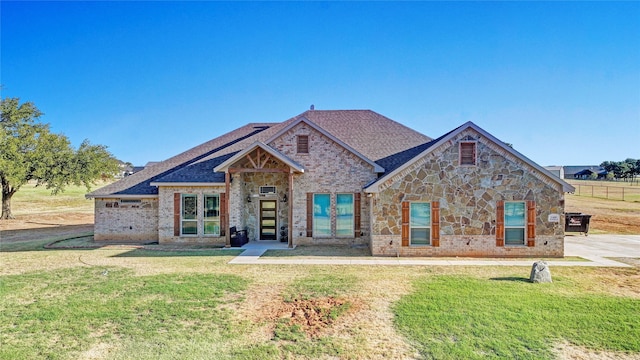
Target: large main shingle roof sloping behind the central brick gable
x: 371, y: 134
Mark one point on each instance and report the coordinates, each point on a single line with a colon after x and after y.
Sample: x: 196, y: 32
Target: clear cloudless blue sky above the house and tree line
x: 558, y: 80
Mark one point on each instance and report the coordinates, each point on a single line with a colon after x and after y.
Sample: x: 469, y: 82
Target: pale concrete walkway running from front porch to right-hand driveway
x: 594, y: 248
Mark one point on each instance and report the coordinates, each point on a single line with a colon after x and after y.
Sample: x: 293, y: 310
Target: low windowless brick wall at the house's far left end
x: 126, y: 220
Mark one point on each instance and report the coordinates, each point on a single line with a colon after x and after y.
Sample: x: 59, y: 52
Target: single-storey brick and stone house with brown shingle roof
x: 344, y: 177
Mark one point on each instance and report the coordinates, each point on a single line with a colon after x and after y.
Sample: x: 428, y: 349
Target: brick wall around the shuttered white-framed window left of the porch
x: 165, y: 215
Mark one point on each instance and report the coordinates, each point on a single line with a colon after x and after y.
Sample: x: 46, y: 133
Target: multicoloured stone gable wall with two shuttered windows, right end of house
x: 468, y: 196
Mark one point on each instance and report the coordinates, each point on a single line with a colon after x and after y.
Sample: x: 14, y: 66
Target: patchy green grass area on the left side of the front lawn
x: 64, y: 312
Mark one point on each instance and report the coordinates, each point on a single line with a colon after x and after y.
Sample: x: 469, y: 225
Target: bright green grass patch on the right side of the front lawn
x: 456, y: 317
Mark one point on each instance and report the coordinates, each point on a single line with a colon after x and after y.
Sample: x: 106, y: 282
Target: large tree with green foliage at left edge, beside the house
x: 30, y: 152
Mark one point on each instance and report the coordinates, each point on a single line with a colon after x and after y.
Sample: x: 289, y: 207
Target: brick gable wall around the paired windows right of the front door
x: 329, y: 168
